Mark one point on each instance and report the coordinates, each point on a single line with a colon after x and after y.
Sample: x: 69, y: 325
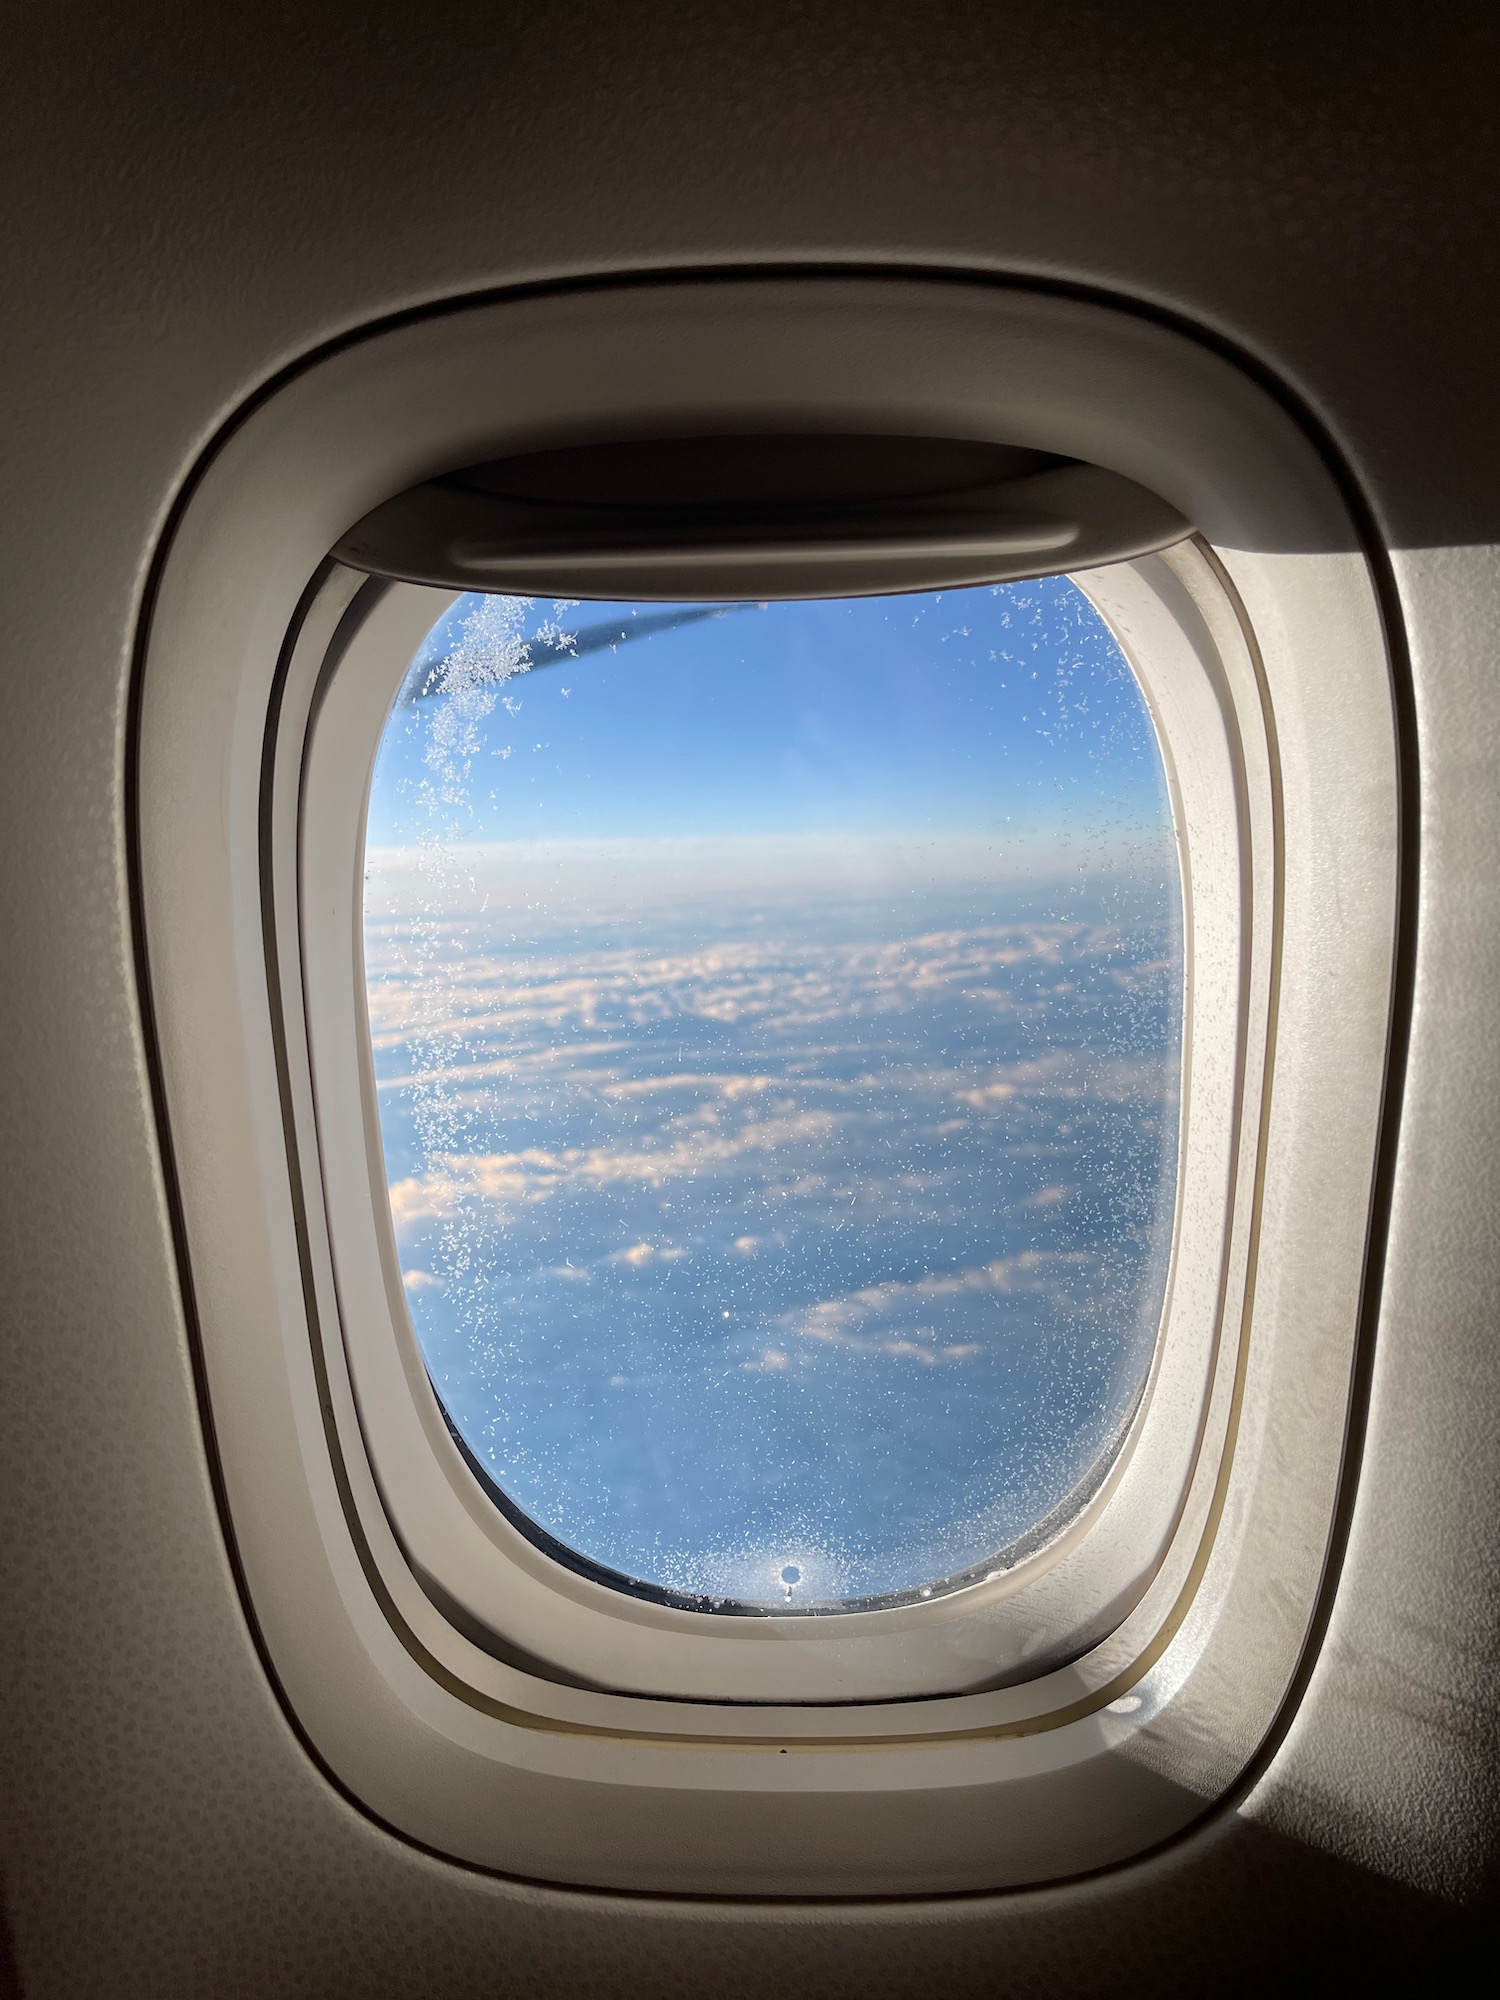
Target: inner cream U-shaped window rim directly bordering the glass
x: 493, y: 1583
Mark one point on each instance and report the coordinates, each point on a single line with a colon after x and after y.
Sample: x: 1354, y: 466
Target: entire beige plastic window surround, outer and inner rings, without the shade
x: 1265, y: 661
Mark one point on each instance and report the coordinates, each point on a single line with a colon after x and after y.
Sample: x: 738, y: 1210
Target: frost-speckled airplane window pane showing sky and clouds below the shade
x: 777, y: 1037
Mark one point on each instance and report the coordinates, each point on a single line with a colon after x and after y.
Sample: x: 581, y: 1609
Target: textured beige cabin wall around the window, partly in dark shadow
x: 197, y: 199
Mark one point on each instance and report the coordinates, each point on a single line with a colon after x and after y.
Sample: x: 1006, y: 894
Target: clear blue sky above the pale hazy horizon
x: 995, y: 713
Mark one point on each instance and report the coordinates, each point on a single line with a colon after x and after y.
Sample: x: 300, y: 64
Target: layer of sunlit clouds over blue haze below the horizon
x: 825, y: 1235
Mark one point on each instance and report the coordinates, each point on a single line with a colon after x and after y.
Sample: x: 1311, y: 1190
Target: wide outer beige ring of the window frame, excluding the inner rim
x: 1101, y: 1757
